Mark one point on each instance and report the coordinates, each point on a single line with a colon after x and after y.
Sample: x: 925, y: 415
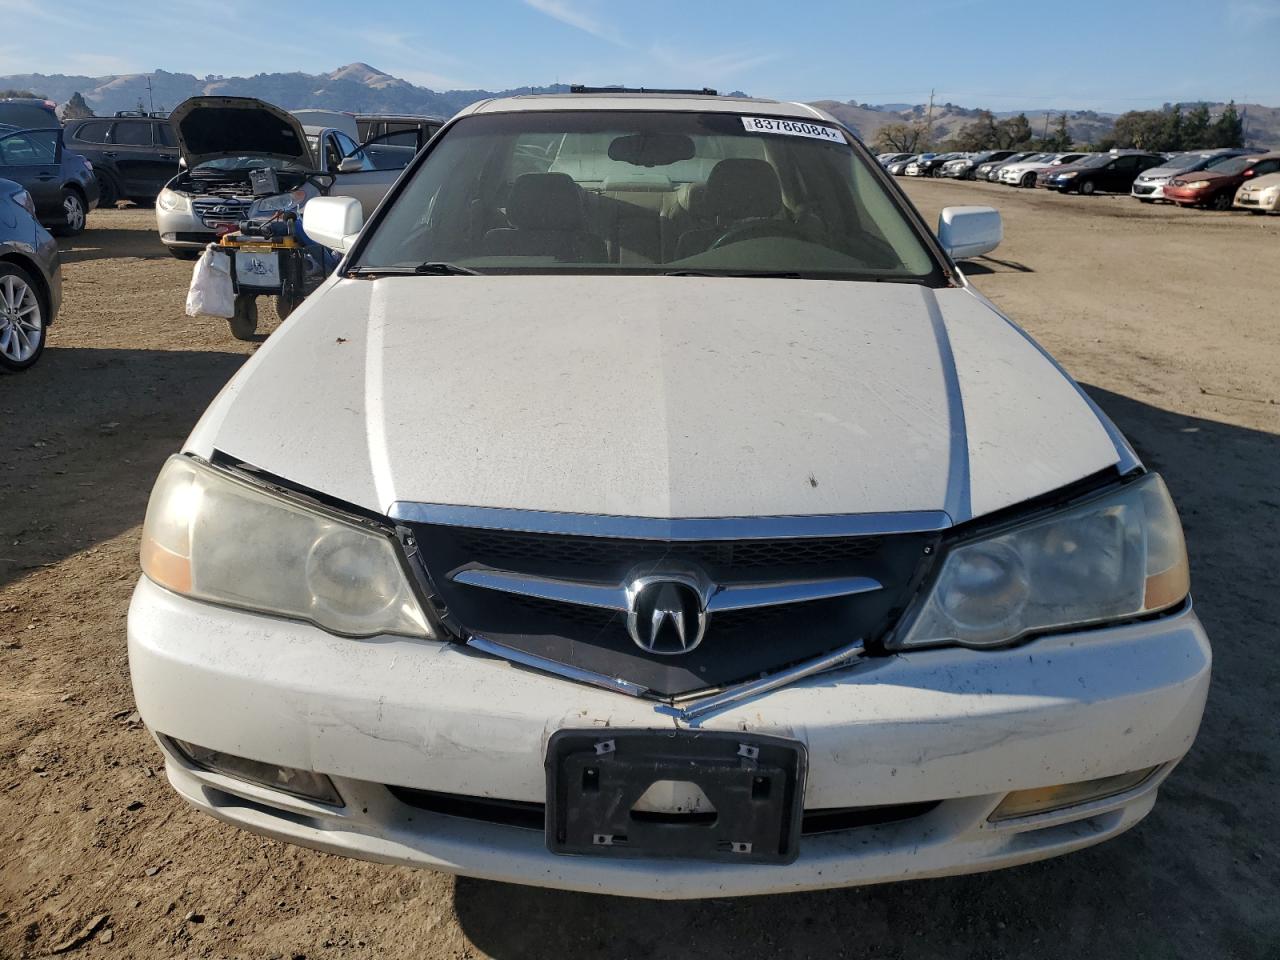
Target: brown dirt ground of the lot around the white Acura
x: 1171, y: 318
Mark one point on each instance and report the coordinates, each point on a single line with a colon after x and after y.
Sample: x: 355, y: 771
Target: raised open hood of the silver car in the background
x: 212, y: 129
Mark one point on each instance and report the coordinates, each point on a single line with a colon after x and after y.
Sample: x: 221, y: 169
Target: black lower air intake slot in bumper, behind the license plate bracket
x: 532, y: 816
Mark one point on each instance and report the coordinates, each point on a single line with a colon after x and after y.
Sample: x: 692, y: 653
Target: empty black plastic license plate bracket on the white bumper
x: 756, y: 785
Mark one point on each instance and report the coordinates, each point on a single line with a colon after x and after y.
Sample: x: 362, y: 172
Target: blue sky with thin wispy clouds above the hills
x: 1103, y: 54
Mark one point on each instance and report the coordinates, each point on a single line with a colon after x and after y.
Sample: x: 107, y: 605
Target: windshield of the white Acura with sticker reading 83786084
x: 648, y: 193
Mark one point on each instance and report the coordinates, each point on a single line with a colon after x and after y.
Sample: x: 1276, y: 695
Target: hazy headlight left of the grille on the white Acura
x: 217, y: 538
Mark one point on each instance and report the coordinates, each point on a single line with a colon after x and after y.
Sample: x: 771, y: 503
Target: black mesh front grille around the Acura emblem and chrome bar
x: 738, y: 646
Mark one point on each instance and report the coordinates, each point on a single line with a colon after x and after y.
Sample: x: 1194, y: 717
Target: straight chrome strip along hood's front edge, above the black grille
x: 679, y: 529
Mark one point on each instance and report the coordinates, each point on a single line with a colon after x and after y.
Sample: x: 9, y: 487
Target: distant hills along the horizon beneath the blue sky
x: 363, y: 89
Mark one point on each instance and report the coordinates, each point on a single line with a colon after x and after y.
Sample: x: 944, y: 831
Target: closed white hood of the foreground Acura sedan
x: 659, y: 397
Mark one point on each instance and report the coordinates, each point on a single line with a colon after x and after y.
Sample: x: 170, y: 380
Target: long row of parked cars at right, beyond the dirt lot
x: 1217, y: 180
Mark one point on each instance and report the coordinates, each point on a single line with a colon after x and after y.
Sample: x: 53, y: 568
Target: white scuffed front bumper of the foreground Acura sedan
x: 959, y: 728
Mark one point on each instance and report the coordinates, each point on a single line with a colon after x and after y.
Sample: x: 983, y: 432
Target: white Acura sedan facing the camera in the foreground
x: 650, y: 506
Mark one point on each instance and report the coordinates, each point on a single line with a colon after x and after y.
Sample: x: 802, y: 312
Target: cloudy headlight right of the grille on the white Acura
x: 1121, y: 555
